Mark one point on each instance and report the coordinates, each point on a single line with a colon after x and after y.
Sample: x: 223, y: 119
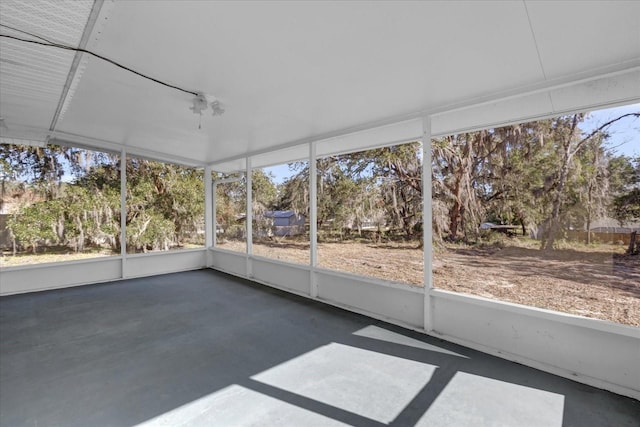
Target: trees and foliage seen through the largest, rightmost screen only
x: 544, y: 176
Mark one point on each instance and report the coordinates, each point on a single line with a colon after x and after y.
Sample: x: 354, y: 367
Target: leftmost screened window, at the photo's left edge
x: 58, y: 204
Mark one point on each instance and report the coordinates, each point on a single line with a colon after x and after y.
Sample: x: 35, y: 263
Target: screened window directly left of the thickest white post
x: 370, y: 213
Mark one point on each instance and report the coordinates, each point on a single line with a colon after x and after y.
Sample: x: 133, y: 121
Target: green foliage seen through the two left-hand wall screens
x: 164, y: 202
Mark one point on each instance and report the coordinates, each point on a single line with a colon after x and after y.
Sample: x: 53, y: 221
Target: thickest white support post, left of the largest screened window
x: 427, y: 221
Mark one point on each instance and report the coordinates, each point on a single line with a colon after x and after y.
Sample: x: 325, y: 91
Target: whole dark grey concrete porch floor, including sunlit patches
x: 204, y: 348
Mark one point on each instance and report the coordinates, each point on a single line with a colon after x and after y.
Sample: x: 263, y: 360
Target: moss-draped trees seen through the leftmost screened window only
x: 73, y: 207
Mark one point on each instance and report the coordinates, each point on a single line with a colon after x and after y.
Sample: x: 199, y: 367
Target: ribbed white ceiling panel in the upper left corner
x: 32, y: 76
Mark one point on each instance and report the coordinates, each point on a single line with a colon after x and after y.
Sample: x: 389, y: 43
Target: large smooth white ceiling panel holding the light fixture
x: 289, y: 71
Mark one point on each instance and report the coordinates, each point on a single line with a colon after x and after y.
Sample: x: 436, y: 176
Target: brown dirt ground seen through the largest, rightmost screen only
x: 602, y: 285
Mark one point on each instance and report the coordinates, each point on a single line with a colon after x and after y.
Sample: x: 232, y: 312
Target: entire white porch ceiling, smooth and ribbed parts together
x: 293, y: 71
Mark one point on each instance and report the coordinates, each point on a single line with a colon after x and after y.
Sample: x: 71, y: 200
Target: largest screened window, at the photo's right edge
x: 542, y: 214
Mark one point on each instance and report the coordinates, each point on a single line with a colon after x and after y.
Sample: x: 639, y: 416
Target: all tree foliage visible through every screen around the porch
x: 539, y: 175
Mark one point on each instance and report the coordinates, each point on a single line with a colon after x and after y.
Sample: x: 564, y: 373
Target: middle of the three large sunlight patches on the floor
x: 371, y: 384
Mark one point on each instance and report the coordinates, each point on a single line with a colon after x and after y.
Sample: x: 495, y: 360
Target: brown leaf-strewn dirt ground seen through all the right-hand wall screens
x: 599, y: 282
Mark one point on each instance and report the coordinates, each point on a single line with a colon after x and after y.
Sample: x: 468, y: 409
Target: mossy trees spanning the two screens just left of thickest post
x: 380, y: 187
